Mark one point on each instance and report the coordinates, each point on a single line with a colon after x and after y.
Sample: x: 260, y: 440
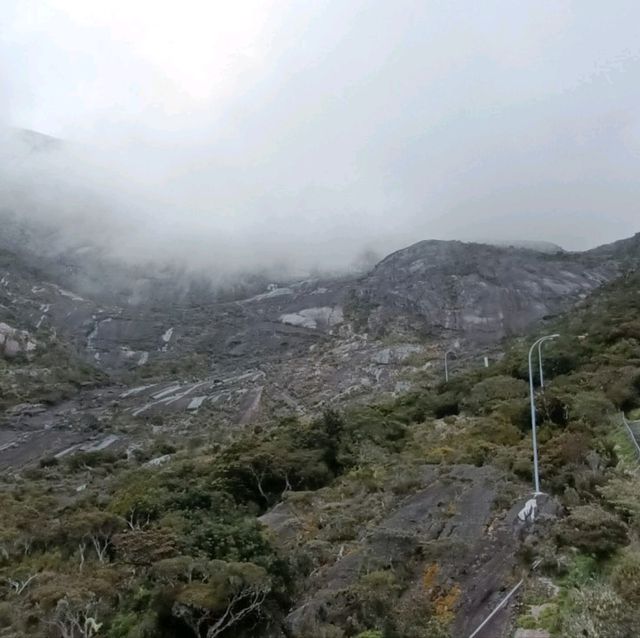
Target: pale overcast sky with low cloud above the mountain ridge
x: 305, y: 131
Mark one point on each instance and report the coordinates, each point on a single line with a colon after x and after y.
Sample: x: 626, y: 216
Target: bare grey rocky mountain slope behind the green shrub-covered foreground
x: 293, y: 346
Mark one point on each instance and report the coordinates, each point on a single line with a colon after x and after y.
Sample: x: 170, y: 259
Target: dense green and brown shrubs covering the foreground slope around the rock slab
x: 102, y: 545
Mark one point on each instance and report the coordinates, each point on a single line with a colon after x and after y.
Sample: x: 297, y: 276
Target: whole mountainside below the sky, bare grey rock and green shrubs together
x: 291, y: 464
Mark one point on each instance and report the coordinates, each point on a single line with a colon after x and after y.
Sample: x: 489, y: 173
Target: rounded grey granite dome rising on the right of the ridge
x: 477, y: 292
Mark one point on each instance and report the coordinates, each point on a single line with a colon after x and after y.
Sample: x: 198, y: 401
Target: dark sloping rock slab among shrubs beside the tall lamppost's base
x: 439, y: 534
